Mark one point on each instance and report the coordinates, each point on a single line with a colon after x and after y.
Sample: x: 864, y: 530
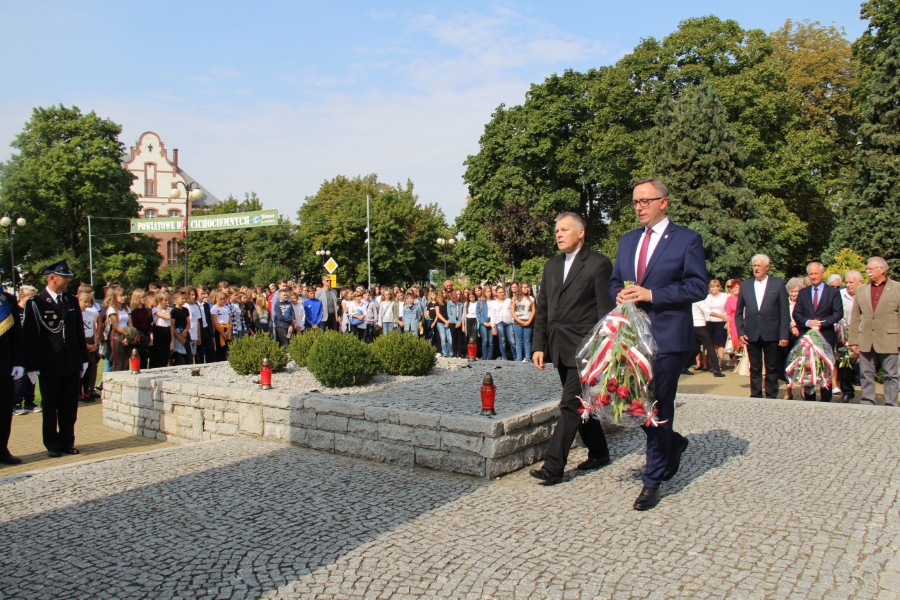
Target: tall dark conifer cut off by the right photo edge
x: 868, y: 224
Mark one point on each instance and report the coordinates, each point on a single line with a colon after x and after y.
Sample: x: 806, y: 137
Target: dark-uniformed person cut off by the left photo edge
x: 12, y: 363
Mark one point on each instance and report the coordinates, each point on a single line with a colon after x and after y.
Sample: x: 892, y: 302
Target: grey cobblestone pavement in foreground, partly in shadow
x: 775, y: 499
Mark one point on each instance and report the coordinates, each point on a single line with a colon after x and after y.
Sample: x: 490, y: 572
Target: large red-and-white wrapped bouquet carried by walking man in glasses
x: 616, y: 365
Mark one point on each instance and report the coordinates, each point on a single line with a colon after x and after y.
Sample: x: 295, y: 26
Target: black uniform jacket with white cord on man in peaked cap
x: 54, y: 354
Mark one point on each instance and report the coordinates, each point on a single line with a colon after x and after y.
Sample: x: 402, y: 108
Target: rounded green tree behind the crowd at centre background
x: 402, y: 238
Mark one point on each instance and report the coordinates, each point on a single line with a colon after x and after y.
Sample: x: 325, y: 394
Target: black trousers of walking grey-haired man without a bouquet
x: 569, y: 423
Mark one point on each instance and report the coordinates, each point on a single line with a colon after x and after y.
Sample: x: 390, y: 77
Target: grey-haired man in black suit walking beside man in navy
x: 572, y: 299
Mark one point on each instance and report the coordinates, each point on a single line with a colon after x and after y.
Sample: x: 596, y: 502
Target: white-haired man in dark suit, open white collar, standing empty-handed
x: 763, y: 320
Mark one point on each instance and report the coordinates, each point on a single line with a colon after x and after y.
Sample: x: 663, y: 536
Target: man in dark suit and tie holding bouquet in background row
x: 818, y: 306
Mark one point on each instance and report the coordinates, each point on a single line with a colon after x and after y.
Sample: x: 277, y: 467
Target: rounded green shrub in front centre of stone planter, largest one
x: 341, y: 360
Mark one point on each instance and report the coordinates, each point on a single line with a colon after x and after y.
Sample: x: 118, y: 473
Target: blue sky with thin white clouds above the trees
x: 276, y: 97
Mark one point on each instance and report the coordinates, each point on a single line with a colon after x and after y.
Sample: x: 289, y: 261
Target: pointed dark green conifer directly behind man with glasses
x: 697, y: 155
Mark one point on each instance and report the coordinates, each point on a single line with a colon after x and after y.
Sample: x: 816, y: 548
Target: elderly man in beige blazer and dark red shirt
x: 875, y: 331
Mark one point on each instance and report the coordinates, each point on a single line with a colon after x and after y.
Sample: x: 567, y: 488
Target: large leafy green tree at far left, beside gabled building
x: 69, y: 167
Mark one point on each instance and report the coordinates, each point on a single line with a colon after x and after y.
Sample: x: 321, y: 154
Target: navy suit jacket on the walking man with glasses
x: 676, y: 276
